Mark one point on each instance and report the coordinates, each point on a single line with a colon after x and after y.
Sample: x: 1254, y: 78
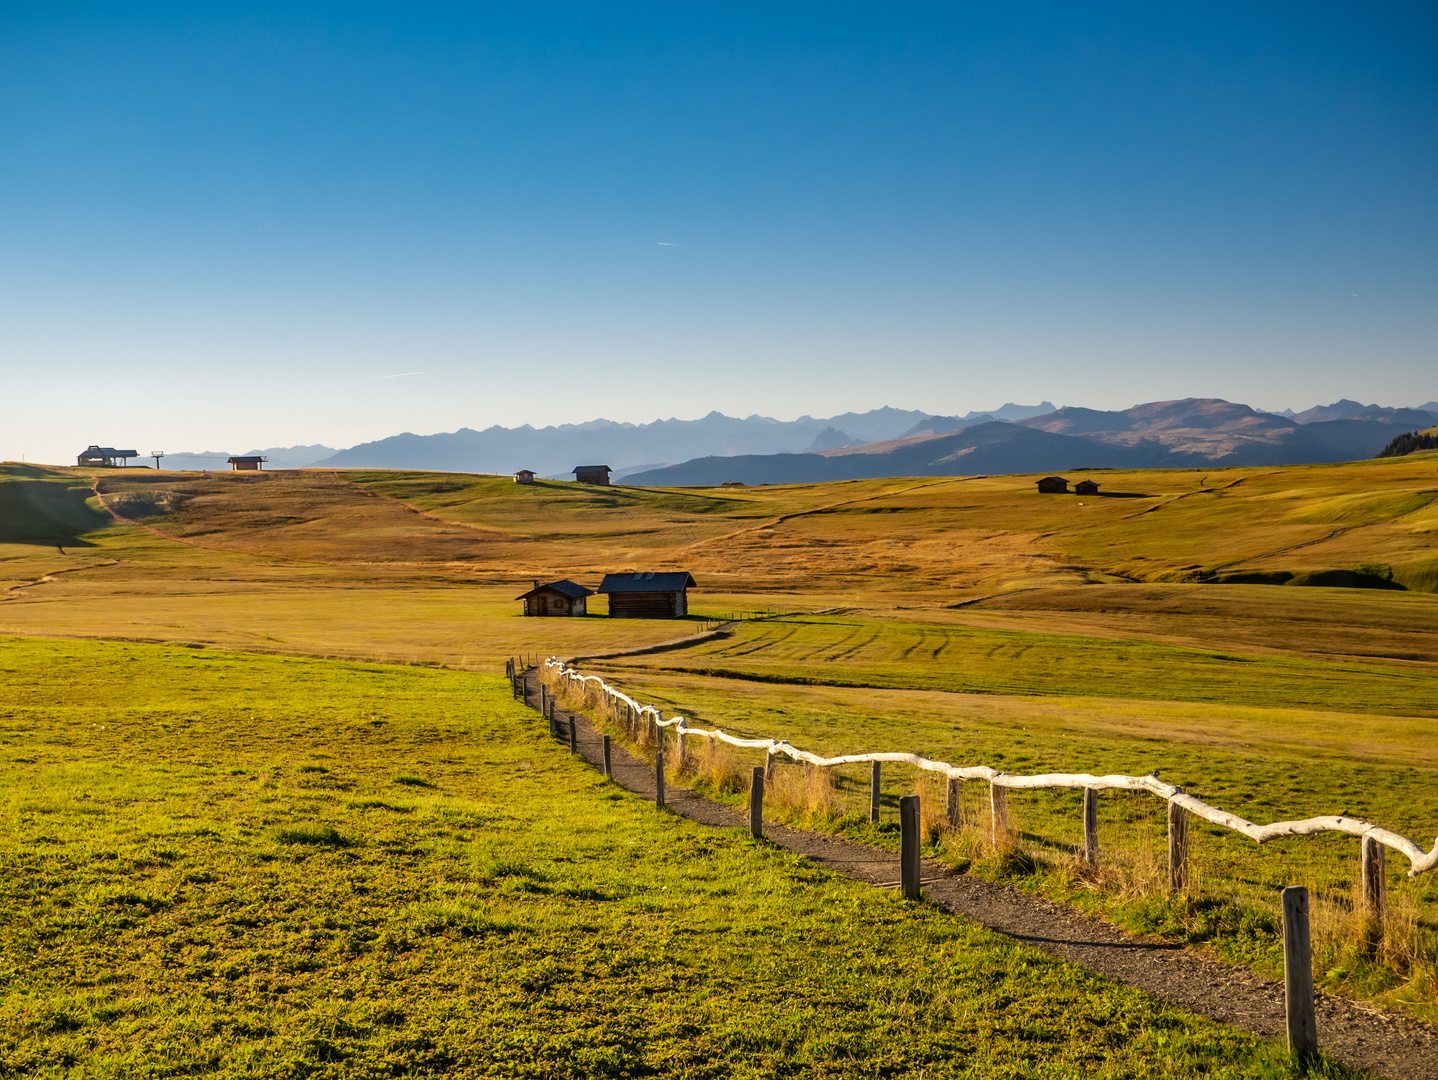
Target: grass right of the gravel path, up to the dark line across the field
x: 1263, y: 763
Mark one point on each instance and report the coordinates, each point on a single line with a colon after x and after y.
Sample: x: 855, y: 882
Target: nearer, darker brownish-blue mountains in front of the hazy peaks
x: 1193, y: 432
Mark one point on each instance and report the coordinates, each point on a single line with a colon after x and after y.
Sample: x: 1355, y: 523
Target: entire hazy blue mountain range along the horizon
x: 881, y: 442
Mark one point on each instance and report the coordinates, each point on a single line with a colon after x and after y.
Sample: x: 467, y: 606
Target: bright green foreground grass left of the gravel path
x: 234, y: 865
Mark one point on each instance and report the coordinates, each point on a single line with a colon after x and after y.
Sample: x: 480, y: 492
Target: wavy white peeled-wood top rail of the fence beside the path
x: 1420, y: 861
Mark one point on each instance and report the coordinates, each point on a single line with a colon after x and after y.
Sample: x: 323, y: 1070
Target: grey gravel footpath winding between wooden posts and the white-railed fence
x: 1360, y: 1036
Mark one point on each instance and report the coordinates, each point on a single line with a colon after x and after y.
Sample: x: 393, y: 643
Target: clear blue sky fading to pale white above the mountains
x: 234, y: 226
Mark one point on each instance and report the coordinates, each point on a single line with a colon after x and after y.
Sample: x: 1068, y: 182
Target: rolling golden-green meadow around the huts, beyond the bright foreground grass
x: 1265, y: 636
